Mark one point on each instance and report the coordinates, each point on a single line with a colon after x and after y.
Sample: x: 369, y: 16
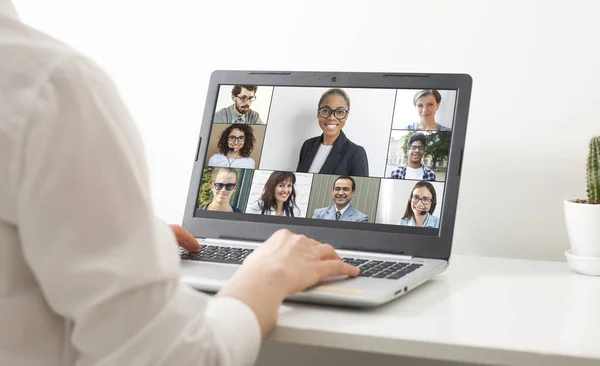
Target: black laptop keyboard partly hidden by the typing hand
x: 368, y: 268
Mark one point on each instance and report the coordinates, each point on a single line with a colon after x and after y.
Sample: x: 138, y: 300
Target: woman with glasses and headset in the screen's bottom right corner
x: 420, y: 207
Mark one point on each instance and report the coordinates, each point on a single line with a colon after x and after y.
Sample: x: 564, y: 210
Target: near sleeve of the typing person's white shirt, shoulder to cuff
x: 102, y: 260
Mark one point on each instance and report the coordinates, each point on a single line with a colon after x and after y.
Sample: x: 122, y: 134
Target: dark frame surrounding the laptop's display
x: 411, y: 241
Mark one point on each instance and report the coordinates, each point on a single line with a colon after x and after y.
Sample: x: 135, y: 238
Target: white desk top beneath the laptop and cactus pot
x: 489, y: 311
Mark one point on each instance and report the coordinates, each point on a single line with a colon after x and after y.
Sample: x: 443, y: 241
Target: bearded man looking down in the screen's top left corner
x: 239, y: 111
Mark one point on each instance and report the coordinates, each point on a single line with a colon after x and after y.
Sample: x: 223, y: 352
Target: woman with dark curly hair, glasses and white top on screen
x: 235, y: 146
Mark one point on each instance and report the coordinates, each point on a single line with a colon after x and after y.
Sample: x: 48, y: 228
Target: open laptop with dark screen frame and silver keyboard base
x: 367, y: 162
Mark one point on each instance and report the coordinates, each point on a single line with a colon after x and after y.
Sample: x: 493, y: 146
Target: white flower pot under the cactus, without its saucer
x: 583, y: 228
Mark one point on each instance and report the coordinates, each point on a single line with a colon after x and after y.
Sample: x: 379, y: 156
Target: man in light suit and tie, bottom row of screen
x: 344, y: 189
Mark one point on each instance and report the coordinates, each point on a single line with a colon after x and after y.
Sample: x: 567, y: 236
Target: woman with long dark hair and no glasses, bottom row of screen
x: 278, y: 196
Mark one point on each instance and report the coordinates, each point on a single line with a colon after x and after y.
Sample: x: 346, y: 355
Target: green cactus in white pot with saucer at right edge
x: 582, y: 218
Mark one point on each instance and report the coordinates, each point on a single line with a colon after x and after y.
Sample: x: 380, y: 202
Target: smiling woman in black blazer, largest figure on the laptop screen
x: 332, y: 152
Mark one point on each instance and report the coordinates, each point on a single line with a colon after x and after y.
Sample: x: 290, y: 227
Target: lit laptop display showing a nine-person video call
x: 373, y: 158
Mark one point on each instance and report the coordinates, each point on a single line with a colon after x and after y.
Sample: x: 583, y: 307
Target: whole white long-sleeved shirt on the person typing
x: 88, y: 276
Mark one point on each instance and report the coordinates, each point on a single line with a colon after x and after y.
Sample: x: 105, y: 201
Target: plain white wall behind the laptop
x: 534, y: 103
